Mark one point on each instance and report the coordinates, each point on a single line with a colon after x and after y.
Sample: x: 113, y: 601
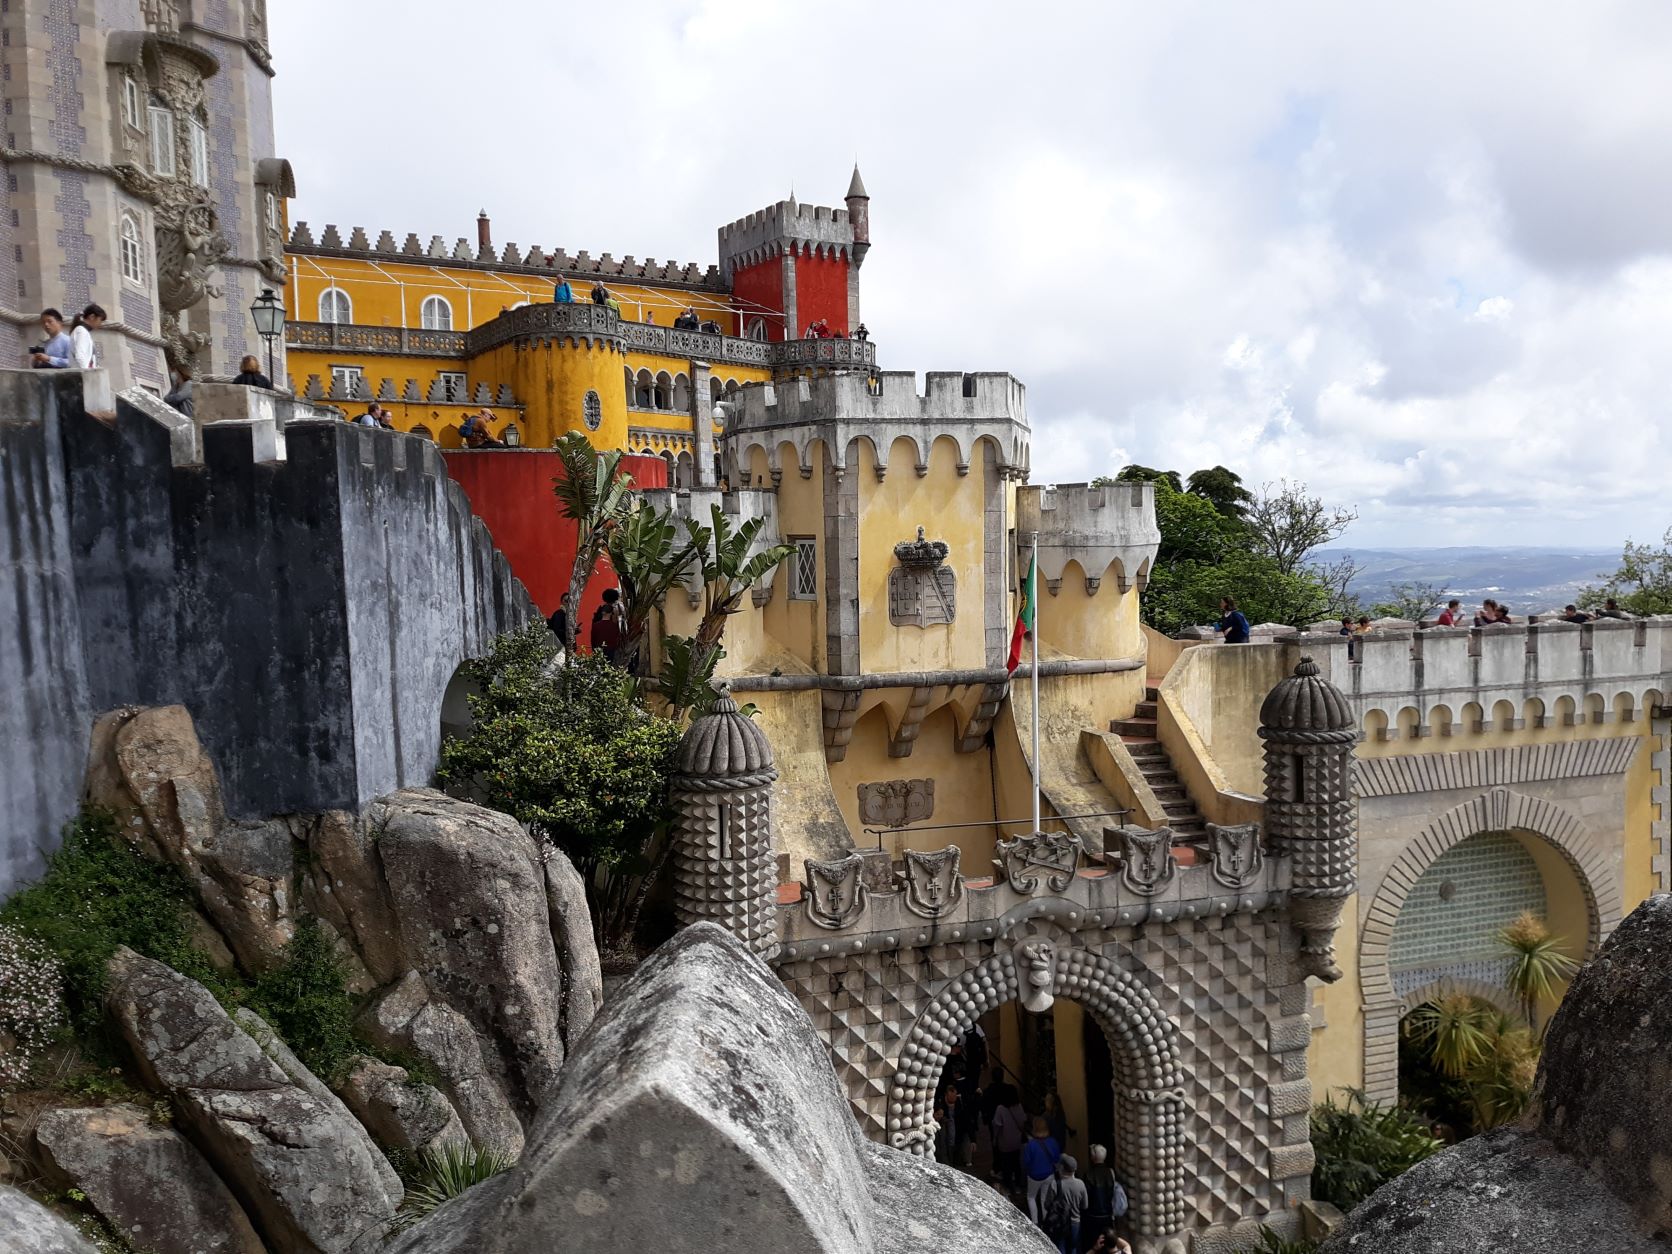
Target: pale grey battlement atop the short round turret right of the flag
x: 1093, y: 526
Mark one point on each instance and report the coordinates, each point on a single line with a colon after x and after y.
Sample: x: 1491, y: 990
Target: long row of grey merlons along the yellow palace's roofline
x: 534, y: 260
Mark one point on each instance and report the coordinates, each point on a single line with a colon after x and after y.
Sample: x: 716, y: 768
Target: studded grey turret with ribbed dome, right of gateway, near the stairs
x: 1310, y: 733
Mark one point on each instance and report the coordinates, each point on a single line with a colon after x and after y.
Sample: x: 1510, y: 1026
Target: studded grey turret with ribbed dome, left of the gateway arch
x: 725, y: 869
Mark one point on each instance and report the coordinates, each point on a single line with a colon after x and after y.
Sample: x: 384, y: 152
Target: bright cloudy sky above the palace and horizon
x: 1415, y: 255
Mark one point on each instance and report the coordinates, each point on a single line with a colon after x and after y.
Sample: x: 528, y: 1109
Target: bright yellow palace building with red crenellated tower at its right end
x: 436, y: 334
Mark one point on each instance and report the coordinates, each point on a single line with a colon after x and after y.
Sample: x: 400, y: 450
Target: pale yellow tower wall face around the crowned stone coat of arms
x: 949, y: 507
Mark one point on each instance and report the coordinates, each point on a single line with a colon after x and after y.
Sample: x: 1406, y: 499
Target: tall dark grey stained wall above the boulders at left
x: 308, y: 613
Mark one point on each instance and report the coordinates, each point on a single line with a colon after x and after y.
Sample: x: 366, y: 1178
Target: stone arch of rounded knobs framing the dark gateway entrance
x: 1034, y: 969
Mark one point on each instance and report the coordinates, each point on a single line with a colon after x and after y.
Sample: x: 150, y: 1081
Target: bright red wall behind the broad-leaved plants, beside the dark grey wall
x: 511, y: 491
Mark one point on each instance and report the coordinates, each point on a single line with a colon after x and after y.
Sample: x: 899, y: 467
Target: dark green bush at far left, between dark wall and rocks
x: 99, y: 894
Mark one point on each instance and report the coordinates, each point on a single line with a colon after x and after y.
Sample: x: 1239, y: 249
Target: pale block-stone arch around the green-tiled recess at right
x: 1586, y: 907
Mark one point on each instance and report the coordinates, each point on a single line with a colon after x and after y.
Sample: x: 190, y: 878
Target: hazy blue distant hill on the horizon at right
x: 1526, y: 579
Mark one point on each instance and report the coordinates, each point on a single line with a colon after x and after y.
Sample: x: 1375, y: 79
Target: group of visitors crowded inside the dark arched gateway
x: 1029, y: 1160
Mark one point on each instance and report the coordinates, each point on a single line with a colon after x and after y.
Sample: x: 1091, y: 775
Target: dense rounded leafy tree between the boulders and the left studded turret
x: 571, y: 753
